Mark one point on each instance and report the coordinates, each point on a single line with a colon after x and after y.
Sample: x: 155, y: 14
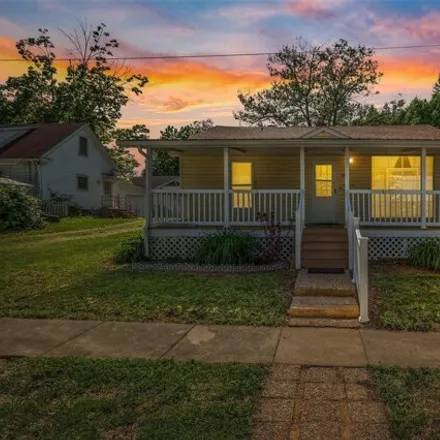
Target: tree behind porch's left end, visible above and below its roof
x: 163, y: 163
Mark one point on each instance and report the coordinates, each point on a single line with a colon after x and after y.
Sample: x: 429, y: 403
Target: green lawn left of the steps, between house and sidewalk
x: 75, y: 278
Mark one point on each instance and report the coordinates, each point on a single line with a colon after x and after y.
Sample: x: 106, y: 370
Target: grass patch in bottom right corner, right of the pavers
x: 413, y: 397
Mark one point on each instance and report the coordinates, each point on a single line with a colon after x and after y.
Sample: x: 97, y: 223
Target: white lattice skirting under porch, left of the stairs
x: 185, y: 248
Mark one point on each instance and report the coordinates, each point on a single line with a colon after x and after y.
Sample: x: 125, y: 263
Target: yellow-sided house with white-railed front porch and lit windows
x: 387, y: 178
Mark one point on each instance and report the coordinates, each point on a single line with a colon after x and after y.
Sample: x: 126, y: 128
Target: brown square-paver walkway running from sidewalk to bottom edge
x: 312, y: 403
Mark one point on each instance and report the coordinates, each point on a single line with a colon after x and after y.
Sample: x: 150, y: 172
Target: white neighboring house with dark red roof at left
x: 62, y: 160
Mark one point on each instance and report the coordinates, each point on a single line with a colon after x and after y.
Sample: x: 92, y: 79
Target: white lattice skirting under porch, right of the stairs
x: 382, y: 248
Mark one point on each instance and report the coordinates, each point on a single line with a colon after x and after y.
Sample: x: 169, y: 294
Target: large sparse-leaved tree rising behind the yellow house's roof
x: 312, y: 85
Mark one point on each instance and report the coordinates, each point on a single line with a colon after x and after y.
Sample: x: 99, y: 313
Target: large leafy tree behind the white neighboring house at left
x: 94, y: 89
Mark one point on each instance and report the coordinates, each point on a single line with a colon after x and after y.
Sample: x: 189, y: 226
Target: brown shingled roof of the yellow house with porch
x: 363, y: 132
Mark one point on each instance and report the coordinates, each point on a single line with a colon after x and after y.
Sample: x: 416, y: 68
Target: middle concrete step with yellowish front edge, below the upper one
x: 323, y: 307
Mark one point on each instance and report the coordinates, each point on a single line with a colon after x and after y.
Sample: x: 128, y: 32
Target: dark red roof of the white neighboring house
x: 32, y: 141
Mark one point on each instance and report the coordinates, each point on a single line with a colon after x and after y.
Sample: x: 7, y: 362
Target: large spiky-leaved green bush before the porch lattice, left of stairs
x: 228, y: 247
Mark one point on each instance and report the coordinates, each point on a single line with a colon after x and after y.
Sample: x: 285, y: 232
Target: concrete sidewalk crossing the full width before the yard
x: 212, y: 343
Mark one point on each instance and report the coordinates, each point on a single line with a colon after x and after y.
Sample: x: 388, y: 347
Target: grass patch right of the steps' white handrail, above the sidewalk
x: 407, y: 299
